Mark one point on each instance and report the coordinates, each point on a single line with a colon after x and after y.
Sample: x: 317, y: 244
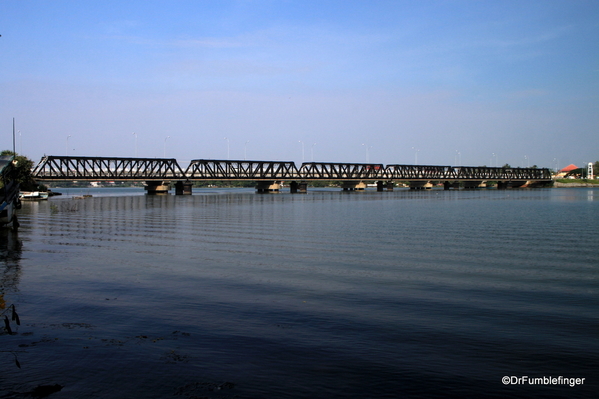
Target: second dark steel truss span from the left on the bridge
x: 210, y: 169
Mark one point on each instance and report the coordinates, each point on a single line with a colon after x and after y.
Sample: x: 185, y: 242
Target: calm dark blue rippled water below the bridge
x: 231, y: 294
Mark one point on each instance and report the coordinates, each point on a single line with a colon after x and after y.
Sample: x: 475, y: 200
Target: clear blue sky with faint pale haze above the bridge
x: 432, y: 82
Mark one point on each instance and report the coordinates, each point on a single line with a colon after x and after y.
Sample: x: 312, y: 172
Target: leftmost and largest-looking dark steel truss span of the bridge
x: 100, y: 168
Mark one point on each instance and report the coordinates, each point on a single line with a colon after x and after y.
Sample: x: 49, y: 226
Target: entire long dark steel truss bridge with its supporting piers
x: 158, y: 173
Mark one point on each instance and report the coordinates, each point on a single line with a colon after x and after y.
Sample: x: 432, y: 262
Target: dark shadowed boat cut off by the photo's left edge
x: 9, y: 193
